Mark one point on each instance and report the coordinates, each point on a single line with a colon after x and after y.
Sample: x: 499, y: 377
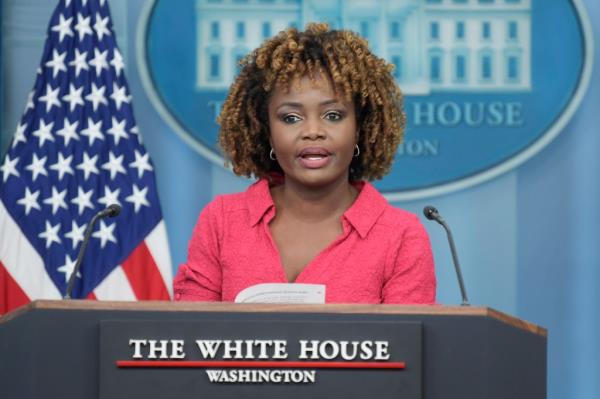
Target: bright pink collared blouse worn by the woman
x: 382, y: 256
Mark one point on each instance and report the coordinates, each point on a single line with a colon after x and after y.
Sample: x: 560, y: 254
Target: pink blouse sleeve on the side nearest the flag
x: 199, y: 279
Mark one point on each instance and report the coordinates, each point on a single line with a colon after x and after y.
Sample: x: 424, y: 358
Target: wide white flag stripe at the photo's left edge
x: 22, y: 261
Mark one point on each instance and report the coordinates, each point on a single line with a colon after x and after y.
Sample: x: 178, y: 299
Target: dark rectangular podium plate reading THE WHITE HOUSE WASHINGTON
x: 260, y: 359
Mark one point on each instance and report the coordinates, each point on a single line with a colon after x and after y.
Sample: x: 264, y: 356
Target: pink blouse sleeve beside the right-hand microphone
x: 412, y: 276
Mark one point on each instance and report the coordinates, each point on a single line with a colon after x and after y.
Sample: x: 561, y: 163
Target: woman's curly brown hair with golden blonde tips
x: 357, y: 74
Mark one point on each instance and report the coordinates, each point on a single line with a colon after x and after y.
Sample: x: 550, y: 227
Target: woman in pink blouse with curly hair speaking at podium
x: 312, y: 115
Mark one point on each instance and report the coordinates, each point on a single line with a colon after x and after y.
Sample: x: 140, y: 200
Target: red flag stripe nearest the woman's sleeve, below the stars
x: 143, y: 275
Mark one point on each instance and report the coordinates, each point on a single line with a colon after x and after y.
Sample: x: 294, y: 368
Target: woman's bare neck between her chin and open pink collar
x: 313, y: 203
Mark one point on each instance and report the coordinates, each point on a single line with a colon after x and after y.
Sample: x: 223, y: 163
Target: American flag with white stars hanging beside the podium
x: 76, y: 150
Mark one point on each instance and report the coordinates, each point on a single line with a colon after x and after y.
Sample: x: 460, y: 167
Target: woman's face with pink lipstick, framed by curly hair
x: 313, y: 132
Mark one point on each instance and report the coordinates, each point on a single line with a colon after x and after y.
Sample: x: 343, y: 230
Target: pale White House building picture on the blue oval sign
x: 434, y: 45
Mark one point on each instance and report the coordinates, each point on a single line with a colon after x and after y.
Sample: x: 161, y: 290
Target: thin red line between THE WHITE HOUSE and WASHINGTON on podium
x: 258, y: 364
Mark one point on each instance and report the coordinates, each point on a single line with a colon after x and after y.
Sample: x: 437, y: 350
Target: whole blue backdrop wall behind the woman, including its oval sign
x: 487, y: 82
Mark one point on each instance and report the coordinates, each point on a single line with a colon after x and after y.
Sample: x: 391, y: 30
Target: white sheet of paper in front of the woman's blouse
x: 282, y: 293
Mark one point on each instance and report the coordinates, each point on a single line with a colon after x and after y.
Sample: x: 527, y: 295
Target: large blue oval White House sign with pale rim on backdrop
x: 482, y: 94
